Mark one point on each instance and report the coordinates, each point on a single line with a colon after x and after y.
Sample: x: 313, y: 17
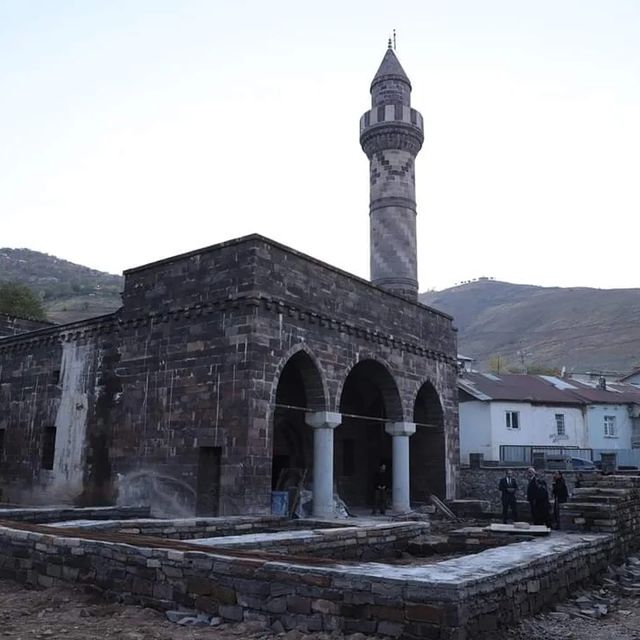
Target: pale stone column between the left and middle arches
x: 323, y: 423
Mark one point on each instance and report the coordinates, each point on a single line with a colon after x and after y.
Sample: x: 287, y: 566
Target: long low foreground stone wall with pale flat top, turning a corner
x: 464, y: 598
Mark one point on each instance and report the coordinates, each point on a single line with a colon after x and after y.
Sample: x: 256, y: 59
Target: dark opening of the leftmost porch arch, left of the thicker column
x: 299, y: 389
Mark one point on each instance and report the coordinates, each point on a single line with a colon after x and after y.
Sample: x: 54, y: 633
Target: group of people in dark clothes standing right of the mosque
x: 537, y: 497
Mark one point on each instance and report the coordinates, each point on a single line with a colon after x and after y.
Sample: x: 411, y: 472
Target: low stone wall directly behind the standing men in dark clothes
x: 482, y: 483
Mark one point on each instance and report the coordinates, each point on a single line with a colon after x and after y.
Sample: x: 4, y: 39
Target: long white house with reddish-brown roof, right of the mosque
x: 514, y: 410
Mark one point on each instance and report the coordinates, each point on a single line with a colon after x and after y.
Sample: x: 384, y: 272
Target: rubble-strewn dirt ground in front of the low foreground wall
x: 26, y: 614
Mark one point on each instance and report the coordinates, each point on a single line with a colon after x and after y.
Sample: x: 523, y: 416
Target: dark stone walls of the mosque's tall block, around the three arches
x: 208, y: 334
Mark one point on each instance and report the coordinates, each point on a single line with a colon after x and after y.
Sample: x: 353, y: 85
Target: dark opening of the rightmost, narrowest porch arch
x: 427, y: 457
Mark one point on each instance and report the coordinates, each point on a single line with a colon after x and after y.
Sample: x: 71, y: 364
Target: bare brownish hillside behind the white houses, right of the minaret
x: 577, y: 328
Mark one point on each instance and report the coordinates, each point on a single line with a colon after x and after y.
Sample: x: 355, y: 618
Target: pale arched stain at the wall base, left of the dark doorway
x: 165, y: 495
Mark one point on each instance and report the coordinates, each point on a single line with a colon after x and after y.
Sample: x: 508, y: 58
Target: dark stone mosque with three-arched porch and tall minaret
x: 229, y: 364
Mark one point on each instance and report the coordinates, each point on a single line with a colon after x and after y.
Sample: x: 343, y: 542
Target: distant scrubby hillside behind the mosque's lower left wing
x: 69, y: 291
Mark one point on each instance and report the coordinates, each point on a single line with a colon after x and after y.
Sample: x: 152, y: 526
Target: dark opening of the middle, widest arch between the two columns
x: 368, y: 400
